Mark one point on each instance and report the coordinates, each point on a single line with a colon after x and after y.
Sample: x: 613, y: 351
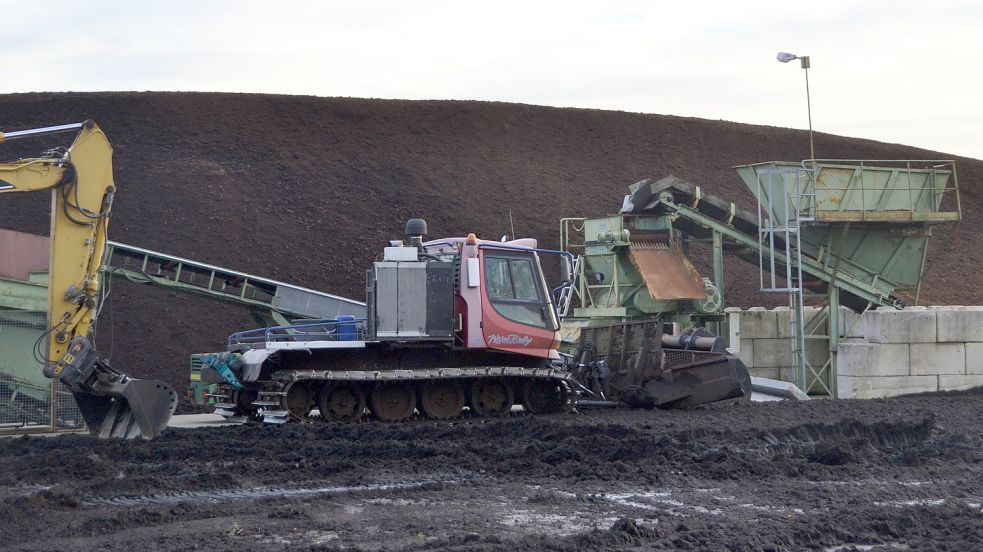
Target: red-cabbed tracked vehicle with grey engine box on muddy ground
x: 451, y: 324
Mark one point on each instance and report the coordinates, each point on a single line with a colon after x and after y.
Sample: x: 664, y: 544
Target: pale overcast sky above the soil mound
x: 896, y: 71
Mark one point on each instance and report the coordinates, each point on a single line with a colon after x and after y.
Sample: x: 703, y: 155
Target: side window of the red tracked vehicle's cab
x: 515, y: 290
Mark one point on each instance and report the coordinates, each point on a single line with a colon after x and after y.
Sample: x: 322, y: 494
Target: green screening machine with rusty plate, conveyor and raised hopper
x: 850, y: 232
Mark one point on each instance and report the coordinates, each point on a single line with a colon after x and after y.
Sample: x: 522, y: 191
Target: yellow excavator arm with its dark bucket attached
x: 82, y: 189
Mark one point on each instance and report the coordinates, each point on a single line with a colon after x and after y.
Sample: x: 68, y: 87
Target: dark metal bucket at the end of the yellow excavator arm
x: 112, y: 404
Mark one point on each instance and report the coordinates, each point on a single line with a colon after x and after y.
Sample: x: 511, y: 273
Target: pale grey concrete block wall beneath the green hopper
x: 886, y: 352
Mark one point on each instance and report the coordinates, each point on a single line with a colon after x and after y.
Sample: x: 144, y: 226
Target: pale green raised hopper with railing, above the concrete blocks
x: 866, y: 221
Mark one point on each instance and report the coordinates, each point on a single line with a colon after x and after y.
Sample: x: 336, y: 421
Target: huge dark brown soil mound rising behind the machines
x: 307, y: 190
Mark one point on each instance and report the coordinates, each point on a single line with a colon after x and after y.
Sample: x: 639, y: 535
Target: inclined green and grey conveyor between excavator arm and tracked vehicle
x: 280, y: 300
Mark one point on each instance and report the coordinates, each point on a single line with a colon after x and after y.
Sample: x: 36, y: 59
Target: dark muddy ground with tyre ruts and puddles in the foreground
x: 898, y: 474
